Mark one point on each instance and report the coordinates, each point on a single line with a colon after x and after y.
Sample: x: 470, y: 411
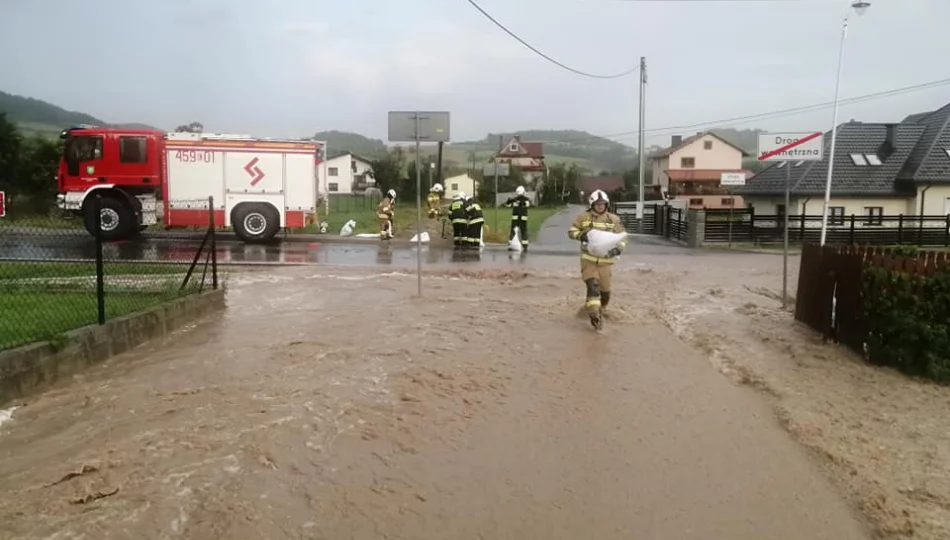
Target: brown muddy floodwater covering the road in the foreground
x: 331, y: 403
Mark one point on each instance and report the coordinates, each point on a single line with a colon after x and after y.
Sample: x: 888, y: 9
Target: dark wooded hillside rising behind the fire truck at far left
x: 37, y: 117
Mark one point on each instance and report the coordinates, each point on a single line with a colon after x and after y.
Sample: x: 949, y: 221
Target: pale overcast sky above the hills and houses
x: 294, y: 67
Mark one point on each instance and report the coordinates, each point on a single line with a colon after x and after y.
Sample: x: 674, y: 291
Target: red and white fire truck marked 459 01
x: 141, y: 177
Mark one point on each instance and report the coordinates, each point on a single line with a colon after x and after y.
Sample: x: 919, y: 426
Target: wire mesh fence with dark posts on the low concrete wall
x: 56, y: 276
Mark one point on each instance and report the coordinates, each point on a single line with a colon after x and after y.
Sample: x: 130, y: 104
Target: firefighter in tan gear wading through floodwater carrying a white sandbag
x: 596, y: 271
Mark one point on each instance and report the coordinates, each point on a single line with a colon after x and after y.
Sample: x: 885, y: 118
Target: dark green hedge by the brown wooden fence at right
x: 908, y: 319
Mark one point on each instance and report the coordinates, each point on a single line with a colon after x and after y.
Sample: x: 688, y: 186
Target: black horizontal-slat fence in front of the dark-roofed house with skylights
x: 744, y: 226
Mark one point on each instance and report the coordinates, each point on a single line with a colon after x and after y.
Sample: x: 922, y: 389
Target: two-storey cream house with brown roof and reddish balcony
x: 691, y: 169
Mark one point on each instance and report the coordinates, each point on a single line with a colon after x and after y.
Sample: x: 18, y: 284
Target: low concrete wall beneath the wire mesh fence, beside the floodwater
x: 32, y: 368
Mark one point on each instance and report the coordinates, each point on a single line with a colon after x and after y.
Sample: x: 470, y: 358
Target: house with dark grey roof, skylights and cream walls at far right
x: 881, y: 169
